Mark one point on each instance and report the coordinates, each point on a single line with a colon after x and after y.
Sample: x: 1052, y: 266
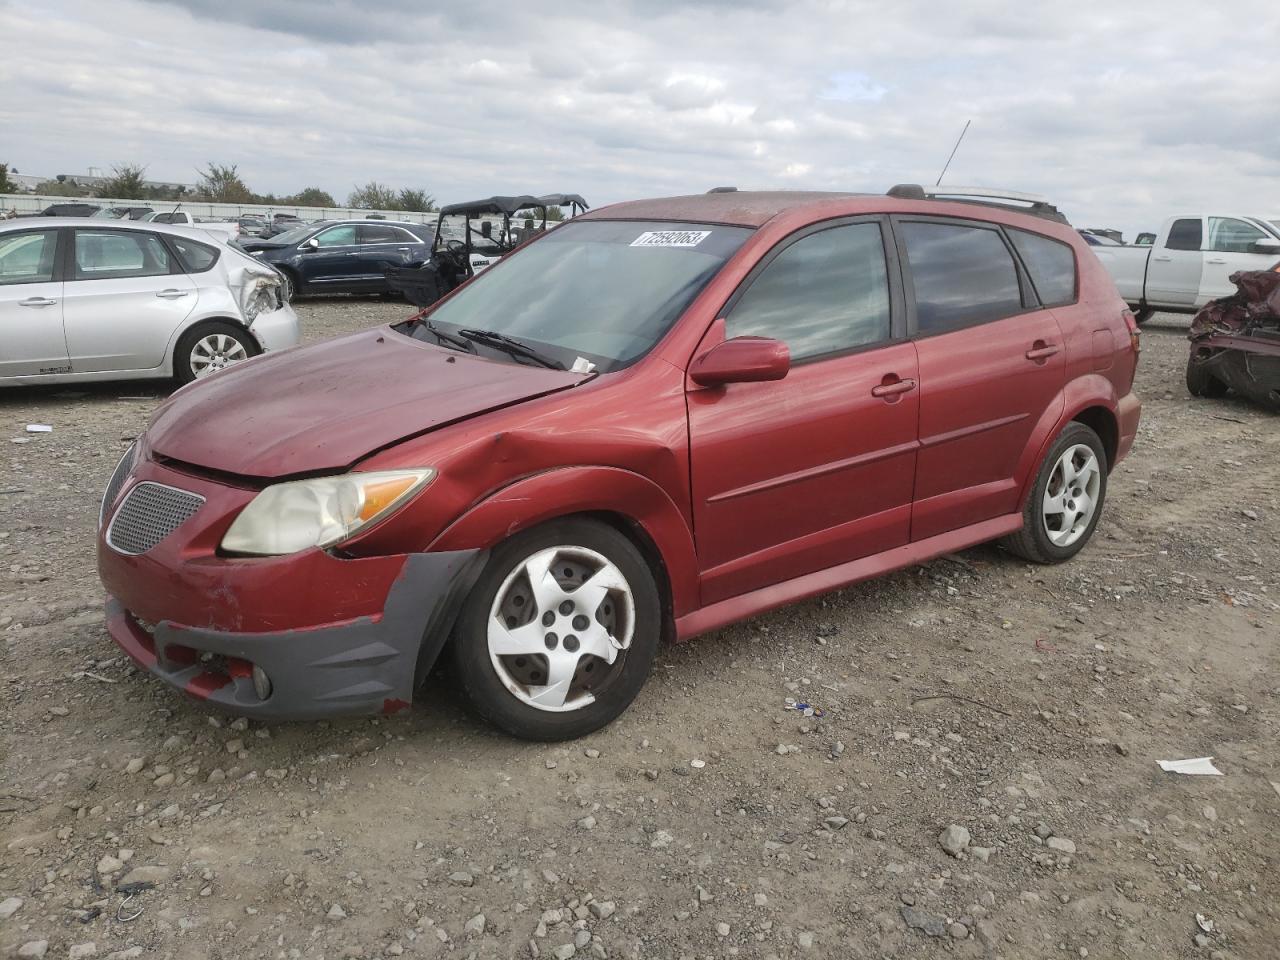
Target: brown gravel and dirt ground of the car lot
x: 981, y: 780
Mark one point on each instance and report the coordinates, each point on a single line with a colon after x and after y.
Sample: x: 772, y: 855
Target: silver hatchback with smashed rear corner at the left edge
x: 93, y: 300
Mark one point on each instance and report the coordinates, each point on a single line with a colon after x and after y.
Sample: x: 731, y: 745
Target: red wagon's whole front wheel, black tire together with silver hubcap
x: 542, y: 633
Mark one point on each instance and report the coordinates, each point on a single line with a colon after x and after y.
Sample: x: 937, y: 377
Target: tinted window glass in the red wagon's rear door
x: 962, y: 276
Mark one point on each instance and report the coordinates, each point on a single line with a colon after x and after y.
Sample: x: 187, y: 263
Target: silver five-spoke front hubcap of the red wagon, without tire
x: 560, y: 628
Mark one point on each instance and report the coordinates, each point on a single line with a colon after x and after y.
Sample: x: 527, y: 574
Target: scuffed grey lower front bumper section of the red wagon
x: 367, y: 665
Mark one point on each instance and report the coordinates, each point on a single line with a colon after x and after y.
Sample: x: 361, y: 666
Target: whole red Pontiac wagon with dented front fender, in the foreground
x: 659, y: 419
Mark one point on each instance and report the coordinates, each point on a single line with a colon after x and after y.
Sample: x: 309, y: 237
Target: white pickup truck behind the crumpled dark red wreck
x: 1191, y: 262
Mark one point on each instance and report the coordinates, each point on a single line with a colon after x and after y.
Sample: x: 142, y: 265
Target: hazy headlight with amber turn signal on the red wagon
x: 301, y: 514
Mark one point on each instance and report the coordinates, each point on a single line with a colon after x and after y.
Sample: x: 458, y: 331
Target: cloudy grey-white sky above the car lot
x: 1121, y: 112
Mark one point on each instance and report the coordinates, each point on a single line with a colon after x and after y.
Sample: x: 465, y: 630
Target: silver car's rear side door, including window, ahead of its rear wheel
x: 126, y: 296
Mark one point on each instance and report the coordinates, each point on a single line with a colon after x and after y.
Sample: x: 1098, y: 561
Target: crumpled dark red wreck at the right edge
x: 1236, y: 342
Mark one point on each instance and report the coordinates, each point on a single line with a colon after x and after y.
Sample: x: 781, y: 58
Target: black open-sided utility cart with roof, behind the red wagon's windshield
x: 472, y: 236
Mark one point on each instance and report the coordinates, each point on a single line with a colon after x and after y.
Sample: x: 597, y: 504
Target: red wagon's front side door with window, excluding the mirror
x: 815, y: 470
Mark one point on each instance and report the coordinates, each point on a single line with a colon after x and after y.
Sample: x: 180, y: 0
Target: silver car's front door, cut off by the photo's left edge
x: 31, y: 305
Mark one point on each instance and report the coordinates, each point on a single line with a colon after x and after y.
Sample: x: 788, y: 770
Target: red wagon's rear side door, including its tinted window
x: 993, y: 365
